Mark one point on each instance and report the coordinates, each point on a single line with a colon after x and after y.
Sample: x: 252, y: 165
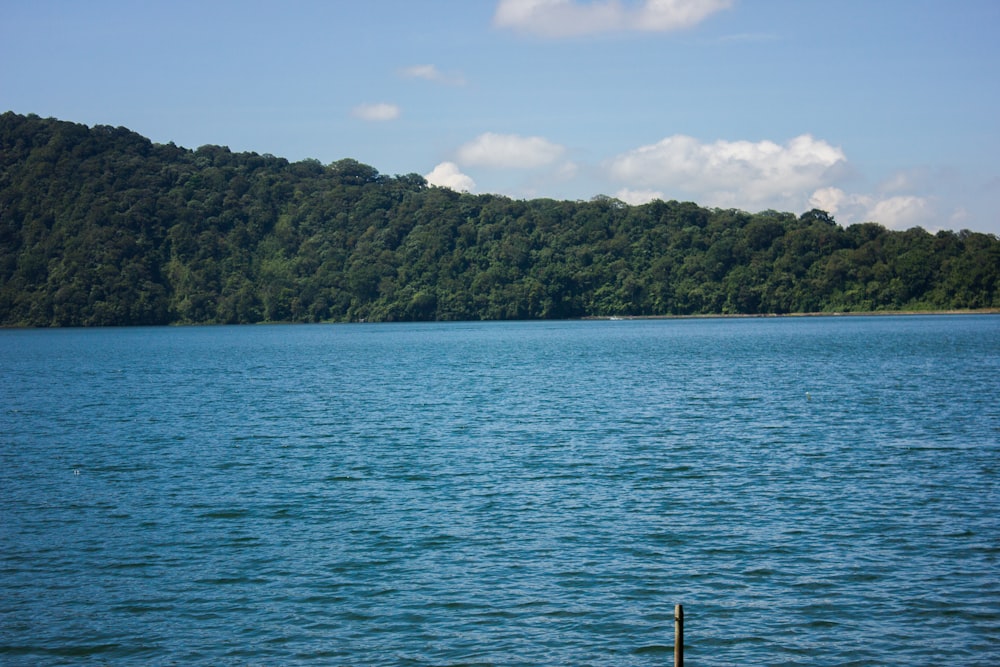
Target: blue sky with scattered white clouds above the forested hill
x: 884, y: 111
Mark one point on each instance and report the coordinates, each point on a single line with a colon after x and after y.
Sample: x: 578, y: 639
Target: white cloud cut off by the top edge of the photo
x: 564, y: 18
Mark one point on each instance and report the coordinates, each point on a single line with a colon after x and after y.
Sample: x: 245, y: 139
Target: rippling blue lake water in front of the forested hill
x: 812, y: 490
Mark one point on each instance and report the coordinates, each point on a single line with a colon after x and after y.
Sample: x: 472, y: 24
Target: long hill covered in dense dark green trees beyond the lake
x: 100, y: 226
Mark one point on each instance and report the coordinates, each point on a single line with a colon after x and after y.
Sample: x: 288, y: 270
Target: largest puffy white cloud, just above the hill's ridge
x: 739, y: 174
